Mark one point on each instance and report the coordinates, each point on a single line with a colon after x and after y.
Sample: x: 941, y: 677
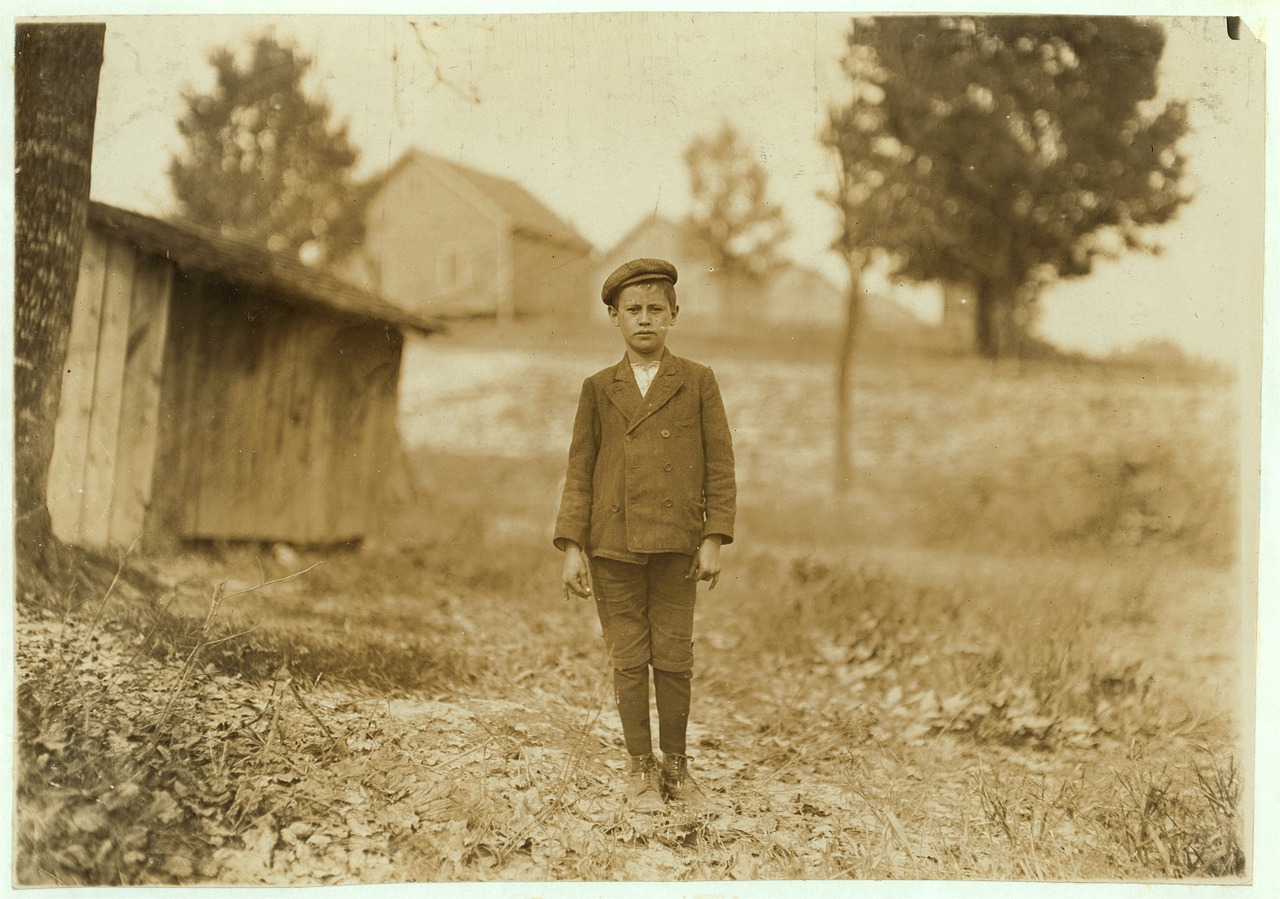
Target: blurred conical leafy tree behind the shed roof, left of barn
x: 263, y: 162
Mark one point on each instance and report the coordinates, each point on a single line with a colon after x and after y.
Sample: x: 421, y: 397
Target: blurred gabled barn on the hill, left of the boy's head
x: 444, y: 239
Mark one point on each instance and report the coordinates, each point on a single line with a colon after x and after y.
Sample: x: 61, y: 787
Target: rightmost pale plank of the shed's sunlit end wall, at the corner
x: 140, y: 408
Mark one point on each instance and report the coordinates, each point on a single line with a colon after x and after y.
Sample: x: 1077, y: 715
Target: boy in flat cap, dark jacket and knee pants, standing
x: 650, y: 500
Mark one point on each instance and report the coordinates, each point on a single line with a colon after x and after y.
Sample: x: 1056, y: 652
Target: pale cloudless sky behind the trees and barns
x: 593, y: 112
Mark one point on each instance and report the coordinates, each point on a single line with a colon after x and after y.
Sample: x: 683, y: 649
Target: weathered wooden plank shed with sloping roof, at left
x: 213, y: 391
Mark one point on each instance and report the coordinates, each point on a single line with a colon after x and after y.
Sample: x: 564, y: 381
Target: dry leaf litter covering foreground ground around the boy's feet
x: 842, y: 755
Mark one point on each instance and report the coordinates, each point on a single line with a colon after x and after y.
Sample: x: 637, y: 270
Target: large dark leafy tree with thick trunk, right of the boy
x: 1004, y: 153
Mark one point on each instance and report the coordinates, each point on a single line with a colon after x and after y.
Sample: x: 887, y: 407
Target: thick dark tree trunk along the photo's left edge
x: 56, y: 103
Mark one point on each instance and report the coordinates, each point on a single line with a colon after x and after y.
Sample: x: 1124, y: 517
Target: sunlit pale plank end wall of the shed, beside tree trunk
x: 102, y: 473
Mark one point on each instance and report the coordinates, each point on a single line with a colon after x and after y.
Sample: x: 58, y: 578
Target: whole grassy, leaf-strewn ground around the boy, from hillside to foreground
x: 1016, y: 651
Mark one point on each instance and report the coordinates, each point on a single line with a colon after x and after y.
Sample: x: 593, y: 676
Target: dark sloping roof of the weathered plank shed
x: 195, y: 248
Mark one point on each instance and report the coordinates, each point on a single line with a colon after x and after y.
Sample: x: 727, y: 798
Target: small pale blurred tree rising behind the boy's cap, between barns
x: 732, y: 221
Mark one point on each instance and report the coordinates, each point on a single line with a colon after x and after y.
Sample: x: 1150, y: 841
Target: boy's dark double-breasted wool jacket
x: 648, y: 473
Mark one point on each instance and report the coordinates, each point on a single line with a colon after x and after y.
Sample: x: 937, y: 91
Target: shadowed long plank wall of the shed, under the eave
x: 277, y: 422
